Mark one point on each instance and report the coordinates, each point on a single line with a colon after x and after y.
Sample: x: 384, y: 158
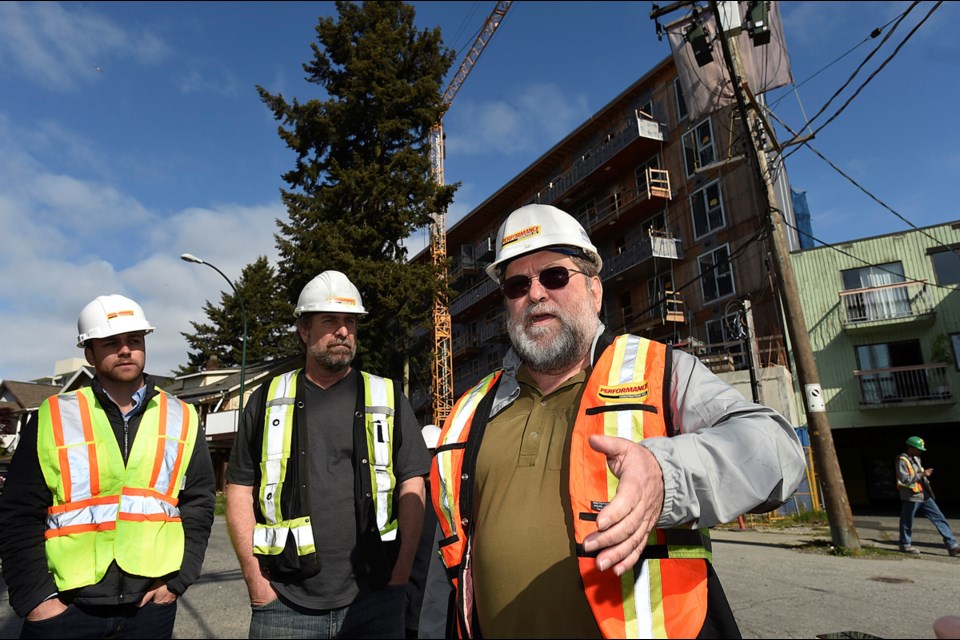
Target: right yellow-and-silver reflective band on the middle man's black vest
x: 379, y: 422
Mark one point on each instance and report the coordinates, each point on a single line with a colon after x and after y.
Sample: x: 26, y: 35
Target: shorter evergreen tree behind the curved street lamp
x: 269, y: 323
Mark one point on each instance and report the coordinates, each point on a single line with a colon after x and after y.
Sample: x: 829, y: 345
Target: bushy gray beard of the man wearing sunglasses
x: 568, y: 347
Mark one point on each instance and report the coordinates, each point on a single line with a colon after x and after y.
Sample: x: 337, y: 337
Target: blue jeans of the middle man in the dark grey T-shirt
x: 374, y: 614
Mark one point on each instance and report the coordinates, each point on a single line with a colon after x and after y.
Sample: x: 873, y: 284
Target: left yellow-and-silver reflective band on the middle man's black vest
x: 270, y: 538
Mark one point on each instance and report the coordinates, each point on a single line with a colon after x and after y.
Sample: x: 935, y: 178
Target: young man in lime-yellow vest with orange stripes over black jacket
x: 109, y: 502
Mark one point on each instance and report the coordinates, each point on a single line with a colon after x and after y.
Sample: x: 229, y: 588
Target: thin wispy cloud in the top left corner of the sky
x: 61, y: 47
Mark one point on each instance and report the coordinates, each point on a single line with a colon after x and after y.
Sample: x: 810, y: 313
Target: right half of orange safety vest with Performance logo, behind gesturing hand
x: 664, y: 596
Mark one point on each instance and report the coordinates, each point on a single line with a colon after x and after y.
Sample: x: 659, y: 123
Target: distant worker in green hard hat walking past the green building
x: 916, y: 497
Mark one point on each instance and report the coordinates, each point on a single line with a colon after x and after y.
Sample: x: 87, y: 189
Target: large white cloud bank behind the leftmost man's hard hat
x: 69, y: 239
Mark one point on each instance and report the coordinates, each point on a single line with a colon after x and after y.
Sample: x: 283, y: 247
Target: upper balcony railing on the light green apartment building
x: 892, y: 302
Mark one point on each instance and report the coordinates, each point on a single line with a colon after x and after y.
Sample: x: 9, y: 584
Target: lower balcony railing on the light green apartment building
x: 927, y: 382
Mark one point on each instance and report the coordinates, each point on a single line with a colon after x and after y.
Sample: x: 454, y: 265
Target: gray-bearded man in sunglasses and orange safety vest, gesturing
x: 575, y: 485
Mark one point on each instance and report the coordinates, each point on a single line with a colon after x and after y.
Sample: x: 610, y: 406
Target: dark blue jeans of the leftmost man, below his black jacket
x: 121, y: 621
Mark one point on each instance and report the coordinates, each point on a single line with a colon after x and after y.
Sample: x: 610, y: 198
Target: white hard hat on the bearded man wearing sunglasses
x: 536, y: 227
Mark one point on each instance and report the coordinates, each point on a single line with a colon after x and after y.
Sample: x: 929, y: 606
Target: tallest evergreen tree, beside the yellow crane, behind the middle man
x: 362, y: 183
